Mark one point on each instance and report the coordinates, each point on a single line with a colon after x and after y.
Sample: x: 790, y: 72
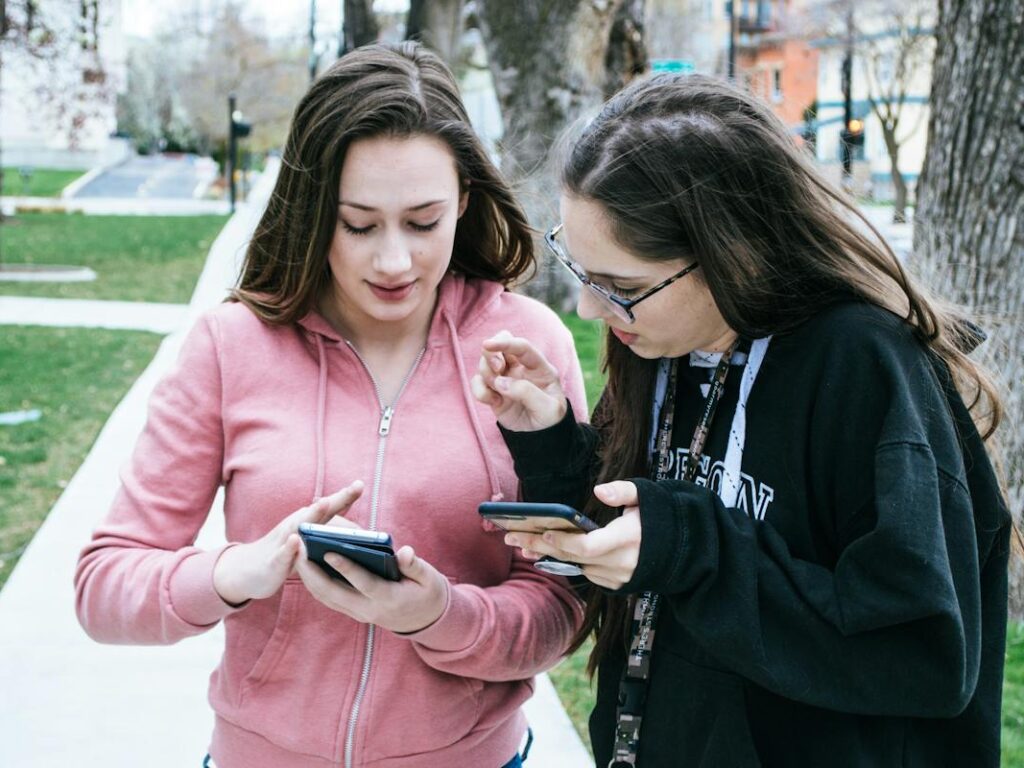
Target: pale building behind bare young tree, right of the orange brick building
x: 892, y: 61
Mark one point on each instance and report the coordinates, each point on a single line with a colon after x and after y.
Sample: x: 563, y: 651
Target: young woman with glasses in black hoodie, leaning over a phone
x: 808, y: 567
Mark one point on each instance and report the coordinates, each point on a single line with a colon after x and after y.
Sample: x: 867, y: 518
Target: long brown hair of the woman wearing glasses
x: 692, y: 167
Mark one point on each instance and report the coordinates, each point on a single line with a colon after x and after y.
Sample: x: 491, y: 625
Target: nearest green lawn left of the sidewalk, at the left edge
x: 75, y: 377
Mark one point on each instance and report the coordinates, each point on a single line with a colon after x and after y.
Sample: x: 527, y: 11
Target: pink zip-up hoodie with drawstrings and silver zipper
x: 280, y: 416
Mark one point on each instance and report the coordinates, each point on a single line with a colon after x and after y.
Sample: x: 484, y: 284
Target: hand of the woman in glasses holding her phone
x: 609, y: 556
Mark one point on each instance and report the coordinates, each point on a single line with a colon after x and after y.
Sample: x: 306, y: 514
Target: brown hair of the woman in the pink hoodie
x: 376, y: 91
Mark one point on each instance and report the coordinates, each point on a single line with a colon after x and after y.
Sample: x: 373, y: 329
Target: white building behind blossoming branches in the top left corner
x: 64, y: 65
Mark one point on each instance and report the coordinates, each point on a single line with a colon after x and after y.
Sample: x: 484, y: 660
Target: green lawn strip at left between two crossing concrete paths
x: 137, y: 259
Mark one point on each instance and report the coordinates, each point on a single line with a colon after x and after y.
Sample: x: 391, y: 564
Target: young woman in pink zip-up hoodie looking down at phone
x: 342, y: 362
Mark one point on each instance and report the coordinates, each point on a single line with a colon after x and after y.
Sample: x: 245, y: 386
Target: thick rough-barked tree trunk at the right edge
x: 968, y: 241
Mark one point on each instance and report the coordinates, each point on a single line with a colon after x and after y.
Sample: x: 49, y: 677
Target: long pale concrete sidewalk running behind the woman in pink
x: 68, y: 701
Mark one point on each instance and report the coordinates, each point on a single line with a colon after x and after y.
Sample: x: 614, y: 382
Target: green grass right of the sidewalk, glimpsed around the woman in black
x: 576, y: 691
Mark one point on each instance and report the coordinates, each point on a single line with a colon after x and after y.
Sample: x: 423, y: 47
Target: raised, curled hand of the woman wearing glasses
x: 522, y: 388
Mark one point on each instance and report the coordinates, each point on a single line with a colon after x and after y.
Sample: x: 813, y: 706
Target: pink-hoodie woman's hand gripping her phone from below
x: 412, y: 604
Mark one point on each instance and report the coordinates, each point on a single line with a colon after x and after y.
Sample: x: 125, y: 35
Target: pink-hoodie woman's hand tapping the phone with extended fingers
x: 258, y: 570
